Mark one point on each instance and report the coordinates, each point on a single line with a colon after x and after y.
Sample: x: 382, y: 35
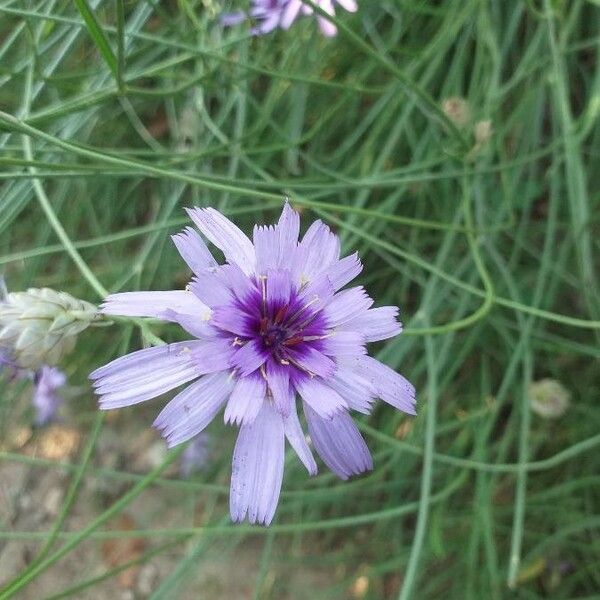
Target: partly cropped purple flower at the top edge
x: 270, y: 14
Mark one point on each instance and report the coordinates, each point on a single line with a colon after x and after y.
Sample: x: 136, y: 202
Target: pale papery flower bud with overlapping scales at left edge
x: 40, y: 326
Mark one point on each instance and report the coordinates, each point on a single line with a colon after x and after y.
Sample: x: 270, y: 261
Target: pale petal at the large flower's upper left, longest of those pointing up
x: 226, y: 236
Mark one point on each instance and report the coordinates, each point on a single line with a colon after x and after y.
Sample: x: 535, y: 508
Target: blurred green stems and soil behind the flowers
x: 453, y: 144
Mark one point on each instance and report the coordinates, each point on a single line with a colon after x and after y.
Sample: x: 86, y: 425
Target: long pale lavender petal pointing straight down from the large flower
x: 257, y: 470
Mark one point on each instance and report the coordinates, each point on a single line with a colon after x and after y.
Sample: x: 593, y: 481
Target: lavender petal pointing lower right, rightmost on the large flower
x: 388, y: 385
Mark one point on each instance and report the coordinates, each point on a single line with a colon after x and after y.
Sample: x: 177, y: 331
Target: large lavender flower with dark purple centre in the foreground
x: 272, y: 325
